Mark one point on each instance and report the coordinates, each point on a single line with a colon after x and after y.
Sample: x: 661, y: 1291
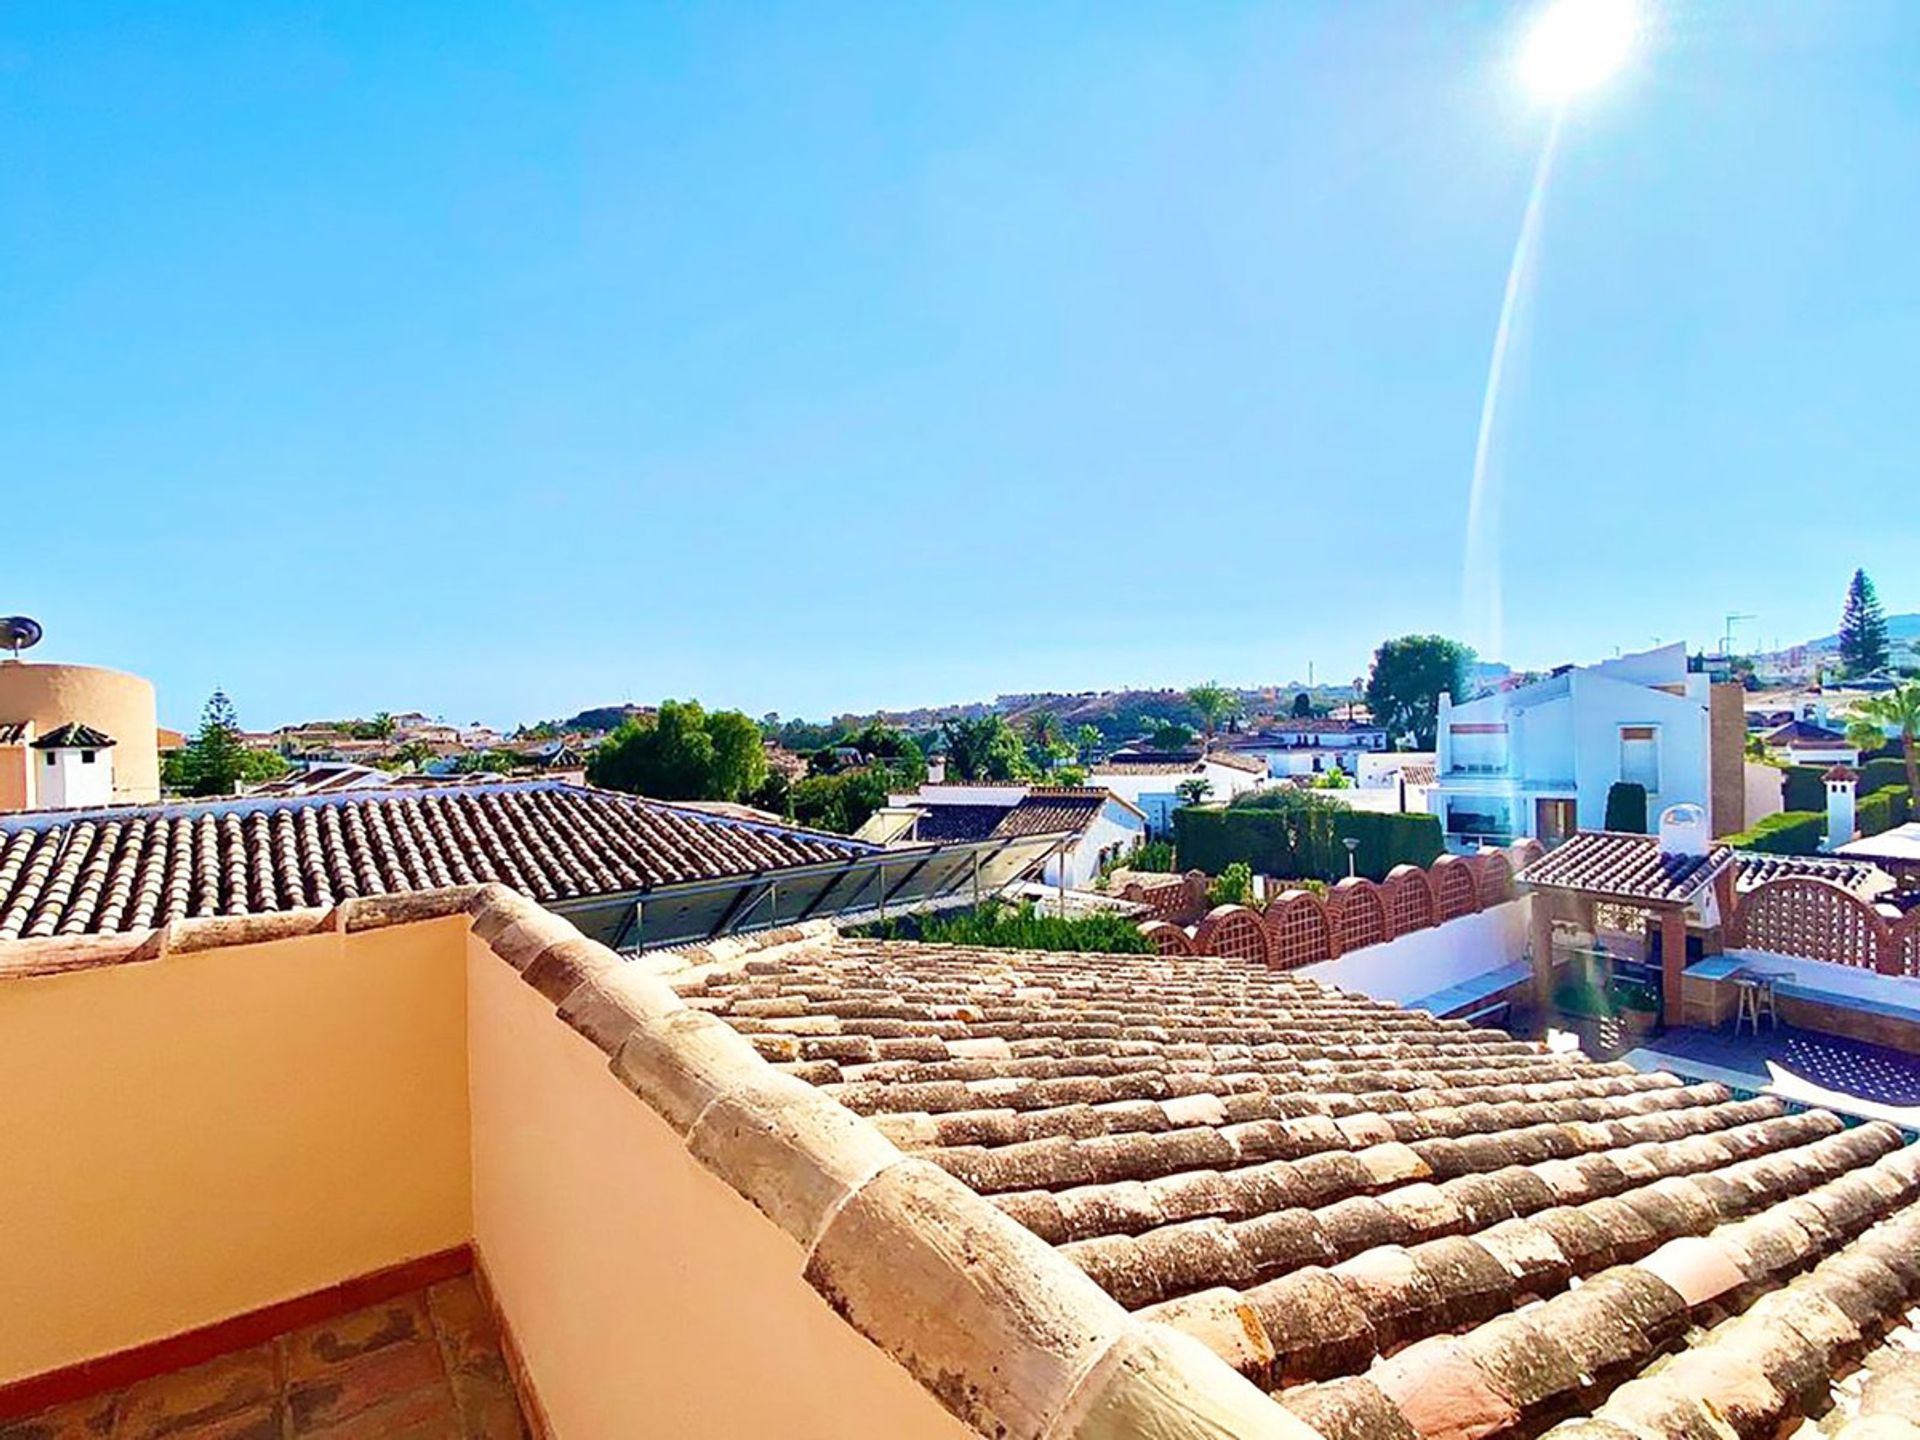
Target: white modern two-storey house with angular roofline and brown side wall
x: 1539, y: 761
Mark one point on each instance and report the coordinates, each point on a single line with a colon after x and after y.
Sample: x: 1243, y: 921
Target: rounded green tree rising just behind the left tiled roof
x: 683, y: 754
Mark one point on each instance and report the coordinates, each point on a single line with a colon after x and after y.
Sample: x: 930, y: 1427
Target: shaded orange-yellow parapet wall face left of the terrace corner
x: 210, y: 1132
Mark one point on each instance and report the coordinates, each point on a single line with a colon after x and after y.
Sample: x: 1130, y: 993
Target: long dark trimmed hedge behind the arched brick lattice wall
x: 1303, y: 846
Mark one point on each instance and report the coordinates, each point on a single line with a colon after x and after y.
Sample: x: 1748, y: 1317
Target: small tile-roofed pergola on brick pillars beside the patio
x: 1598, y: 869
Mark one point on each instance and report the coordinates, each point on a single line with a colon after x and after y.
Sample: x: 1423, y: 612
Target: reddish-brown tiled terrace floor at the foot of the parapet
x: 420, y: 1368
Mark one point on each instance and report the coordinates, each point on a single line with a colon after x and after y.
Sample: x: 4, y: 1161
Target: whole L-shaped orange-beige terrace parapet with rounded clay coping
x: 683, y: 1239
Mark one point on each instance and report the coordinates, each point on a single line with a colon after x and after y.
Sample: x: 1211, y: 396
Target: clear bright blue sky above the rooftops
x: 496, y: 360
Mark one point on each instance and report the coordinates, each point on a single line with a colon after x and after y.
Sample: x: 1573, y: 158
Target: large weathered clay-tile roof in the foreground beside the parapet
x: 1403, y: 1228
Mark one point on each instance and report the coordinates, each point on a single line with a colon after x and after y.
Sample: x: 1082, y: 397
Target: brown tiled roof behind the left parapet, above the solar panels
x: 112, y: 871
